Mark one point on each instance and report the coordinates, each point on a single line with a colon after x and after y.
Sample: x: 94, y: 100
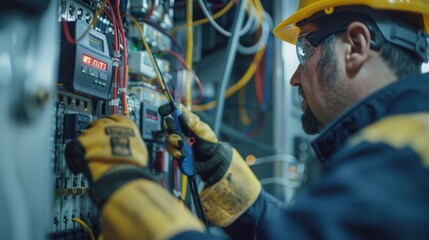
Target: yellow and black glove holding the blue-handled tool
x: 231, y: 187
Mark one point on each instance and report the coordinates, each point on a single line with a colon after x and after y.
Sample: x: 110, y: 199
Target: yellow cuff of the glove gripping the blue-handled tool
x: 229, y: 198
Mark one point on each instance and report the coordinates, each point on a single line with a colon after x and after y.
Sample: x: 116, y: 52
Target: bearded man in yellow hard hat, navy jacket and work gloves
x: 362, y: 88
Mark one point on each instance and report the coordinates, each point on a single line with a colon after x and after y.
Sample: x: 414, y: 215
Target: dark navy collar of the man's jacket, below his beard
x: 403, y: 96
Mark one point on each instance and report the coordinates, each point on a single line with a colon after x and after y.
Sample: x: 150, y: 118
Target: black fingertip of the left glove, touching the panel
x: 75, y: 156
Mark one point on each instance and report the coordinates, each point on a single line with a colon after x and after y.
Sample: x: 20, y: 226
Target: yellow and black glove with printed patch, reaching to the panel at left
x: 112, y: 155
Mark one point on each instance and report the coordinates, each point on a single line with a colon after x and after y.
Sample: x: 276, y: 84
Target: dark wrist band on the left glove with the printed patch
x: 114, y: 179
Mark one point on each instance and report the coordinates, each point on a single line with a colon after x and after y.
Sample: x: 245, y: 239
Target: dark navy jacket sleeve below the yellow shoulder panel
x: 371, y: 191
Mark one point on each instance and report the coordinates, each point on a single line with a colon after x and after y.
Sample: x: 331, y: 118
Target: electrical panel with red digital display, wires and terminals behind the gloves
x: 89, y: 87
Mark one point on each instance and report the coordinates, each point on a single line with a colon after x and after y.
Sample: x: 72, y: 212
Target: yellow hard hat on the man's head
x: 288, y: 31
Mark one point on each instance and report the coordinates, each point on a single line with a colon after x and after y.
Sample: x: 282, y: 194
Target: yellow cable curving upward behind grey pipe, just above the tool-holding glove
x: 238, y: 85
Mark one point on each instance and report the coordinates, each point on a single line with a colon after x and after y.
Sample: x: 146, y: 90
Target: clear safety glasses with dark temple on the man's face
x: 307, y: 43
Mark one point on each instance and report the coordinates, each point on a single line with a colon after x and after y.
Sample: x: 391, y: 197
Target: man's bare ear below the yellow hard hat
x: 358, y: 40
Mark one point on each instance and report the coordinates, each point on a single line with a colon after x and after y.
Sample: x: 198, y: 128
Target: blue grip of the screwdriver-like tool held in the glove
x: 186, y: 164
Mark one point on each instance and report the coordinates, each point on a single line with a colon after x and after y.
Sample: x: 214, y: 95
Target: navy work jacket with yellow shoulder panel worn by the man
x: 377, y: 181
